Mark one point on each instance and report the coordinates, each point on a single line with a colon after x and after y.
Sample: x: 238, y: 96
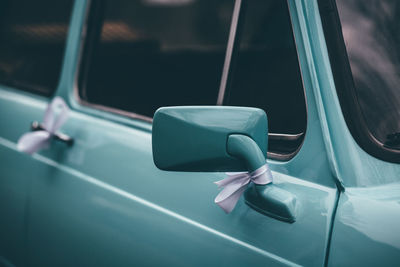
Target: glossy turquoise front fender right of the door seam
x: 366, y: 231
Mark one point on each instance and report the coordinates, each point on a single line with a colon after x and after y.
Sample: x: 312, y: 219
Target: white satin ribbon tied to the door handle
x: 55, y: 116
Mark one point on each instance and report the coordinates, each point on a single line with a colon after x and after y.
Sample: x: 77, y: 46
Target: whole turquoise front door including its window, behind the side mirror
x: 103, y: 202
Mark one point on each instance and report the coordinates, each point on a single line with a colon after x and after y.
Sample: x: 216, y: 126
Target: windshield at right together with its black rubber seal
x: 363, y: 45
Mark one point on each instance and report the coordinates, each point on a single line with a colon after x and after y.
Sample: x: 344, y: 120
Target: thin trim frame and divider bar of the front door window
x: 91, y: 16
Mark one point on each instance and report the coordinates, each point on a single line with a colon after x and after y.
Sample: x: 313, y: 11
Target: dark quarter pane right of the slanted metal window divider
x: 266, y: 73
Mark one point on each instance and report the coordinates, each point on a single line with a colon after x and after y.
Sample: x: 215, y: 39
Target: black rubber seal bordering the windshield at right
x: 345, y: 86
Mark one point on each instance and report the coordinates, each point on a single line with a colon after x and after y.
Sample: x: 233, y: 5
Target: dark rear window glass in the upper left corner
x: 32, y: 42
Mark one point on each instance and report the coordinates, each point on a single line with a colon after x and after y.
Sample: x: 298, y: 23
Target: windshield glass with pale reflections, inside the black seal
x: 372, y: 37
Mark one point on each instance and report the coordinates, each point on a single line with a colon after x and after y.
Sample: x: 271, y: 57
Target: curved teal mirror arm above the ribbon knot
x: 246, y: 149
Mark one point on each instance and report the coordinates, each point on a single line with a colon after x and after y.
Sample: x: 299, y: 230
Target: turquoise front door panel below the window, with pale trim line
x: 103, y: 201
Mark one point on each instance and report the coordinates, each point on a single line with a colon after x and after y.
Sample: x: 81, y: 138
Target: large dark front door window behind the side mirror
x: 141, y: 55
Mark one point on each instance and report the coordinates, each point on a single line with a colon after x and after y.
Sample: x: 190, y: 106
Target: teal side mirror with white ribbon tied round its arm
x: 220, y: 138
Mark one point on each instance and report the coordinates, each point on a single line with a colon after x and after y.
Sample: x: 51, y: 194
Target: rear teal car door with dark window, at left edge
x: 31, y: 51
